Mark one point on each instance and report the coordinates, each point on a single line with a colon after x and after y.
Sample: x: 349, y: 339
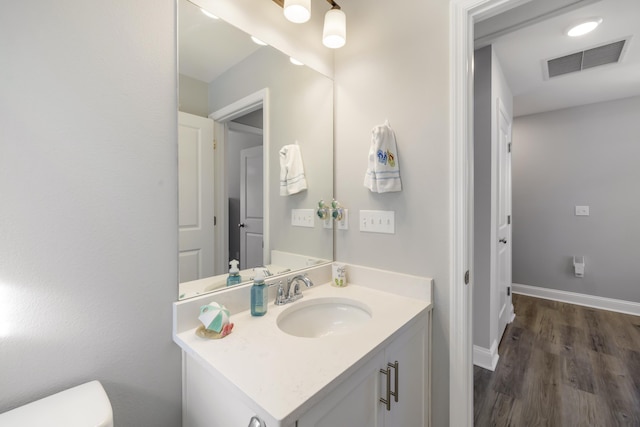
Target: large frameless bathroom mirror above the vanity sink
x: 241, y: 104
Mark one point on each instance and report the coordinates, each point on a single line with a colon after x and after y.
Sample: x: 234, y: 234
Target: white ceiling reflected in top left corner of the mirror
x: 208, y: 47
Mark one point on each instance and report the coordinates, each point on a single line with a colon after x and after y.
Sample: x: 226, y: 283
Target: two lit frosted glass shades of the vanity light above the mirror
x: 334, y: 32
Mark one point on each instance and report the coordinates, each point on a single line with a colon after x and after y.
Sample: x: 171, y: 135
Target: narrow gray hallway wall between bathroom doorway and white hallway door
x: 489, y: 85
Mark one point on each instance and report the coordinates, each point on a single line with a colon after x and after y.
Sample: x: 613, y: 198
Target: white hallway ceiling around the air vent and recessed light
x: 525, y: 39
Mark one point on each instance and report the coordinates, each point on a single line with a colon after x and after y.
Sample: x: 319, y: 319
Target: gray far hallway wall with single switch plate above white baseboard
x: 578, y: 156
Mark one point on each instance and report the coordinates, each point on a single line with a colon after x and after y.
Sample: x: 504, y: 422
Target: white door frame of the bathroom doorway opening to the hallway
x: 462, y: 15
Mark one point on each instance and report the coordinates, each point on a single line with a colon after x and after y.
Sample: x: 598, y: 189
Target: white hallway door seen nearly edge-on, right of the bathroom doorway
x: 503, y: 210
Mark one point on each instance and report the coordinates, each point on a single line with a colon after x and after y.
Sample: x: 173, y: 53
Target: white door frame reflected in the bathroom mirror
x: 221, y: 118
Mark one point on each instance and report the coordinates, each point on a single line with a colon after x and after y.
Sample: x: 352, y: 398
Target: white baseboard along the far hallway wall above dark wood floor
x: 602, y: 303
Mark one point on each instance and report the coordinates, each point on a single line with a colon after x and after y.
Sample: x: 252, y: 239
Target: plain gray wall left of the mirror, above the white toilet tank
x: 88, y: 178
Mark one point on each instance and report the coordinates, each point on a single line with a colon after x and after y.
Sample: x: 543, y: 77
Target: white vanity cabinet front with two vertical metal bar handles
x: 356, y: 401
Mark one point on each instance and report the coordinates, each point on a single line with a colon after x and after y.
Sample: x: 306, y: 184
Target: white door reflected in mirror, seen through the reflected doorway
x: 251, y: 208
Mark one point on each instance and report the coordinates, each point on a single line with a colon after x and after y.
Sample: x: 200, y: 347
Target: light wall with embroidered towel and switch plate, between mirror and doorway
x: 395, y: 66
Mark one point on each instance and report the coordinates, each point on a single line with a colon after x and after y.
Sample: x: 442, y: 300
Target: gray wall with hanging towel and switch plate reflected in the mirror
x: 301, y: 109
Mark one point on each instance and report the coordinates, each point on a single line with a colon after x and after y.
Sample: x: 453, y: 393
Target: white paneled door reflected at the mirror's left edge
x: 195, y: 197
